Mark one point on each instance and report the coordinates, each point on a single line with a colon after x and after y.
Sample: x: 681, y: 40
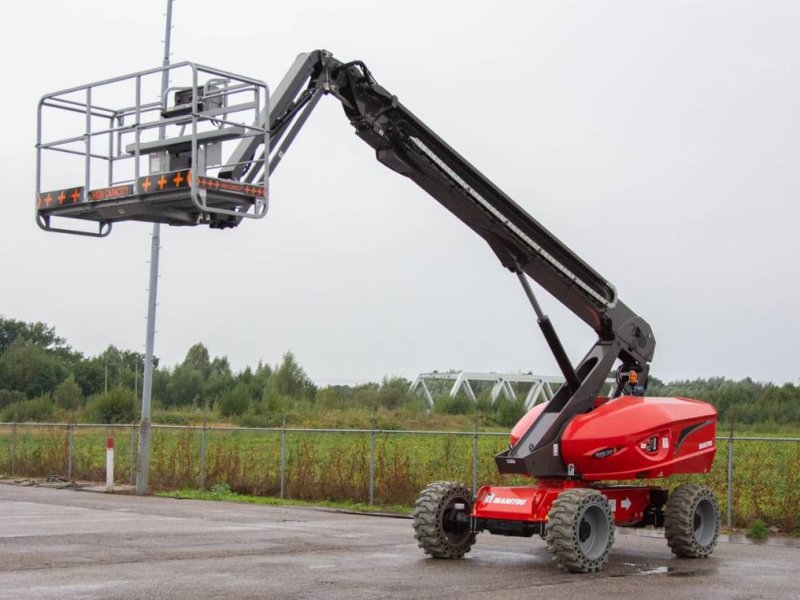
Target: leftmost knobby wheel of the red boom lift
x: 441, y: 520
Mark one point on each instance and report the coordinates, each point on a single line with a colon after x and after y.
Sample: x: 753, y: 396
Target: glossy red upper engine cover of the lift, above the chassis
x: 633, y: 437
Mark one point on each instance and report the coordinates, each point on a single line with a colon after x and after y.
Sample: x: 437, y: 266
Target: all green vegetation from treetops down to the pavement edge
x: 44, y: 380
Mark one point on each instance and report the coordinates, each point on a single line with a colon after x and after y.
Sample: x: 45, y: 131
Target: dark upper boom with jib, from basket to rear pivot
x: 406, y: 145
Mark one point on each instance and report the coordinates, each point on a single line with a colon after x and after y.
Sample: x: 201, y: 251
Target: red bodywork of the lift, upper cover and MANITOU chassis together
x: 628, y: 437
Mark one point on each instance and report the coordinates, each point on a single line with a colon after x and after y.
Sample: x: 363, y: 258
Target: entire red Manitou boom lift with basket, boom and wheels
x: 203, y: 153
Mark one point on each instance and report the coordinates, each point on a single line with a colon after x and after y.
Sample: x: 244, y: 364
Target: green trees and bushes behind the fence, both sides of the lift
x: 44, y: 379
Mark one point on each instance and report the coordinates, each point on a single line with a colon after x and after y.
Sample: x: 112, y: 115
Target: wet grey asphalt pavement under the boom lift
x: 77, y: 544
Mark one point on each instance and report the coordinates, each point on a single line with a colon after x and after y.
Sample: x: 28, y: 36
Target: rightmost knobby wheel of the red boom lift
x: 691, y: 521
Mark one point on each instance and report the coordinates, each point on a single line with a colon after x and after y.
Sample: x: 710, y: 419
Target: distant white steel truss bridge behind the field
x: 542, y: 387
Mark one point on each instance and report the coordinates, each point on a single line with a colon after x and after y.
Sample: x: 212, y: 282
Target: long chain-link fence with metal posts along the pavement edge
x: 753, y: 477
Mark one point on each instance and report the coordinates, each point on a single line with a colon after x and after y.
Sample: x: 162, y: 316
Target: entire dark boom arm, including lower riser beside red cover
x: 406, y: 145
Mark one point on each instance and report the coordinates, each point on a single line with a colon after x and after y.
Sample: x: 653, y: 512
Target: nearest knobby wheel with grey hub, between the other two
x: 580, y: 530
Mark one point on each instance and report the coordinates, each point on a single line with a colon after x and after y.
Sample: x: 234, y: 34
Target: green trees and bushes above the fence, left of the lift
x: 42, y: 379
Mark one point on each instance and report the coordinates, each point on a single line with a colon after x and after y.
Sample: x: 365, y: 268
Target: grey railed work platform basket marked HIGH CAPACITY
x: 122, y: 149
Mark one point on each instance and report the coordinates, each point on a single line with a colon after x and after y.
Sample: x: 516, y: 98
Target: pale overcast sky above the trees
x: 659, y: 140
